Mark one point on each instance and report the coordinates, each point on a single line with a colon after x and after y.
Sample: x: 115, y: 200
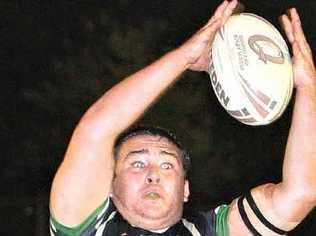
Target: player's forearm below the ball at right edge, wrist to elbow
x: 298, y: 187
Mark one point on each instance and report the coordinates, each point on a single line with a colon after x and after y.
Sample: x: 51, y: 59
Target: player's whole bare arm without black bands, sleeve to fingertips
x: 83, y: 181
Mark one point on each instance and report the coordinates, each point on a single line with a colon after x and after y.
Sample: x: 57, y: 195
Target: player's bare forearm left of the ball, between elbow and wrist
x: 127, y: 101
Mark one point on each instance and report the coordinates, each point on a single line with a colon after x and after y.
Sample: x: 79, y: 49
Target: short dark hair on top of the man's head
x: 153, y: 131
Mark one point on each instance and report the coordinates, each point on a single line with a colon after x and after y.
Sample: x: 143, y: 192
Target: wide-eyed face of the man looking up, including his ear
x: 149, y: 186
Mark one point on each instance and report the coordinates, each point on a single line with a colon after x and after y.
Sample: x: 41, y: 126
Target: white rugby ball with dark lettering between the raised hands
x: 251, y: 69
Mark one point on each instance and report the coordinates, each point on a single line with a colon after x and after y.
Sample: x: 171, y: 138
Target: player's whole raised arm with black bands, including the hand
x: 286, y: 204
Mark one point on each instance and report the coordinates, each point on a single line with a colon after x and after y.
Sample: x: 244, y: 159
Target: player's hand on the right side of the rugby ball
x: 303, y: 64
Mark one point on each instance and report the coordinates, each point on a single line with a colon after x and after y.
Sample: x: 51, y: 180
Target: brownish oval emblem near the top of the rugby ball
x: 266, y: 49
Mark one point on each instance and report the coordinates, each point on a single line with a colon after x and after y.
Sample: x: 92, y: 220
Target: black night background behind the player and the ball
x: 58, y: 57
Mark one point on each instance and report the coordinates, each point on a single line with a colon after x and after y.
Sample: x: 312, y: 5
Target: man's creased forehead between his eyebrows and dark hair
x: 148, y: 142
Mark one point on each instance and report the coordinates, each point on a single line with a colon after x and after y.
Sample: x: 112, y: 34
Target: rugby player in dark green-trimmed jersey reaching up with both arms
x: 136, y: 184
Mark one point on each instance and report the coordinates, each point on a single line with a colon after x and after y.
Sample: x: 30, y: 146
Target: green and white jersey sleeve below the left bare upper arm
x: 88, y: 227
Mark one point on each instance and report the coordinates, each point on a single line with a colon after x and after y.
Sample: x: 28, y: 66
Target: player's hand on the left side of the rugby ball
x: 197, y: 49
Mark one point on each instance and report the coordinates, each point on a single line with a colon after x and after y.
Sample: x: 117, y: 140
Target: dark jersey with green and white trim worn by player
x: 107, y: 221
